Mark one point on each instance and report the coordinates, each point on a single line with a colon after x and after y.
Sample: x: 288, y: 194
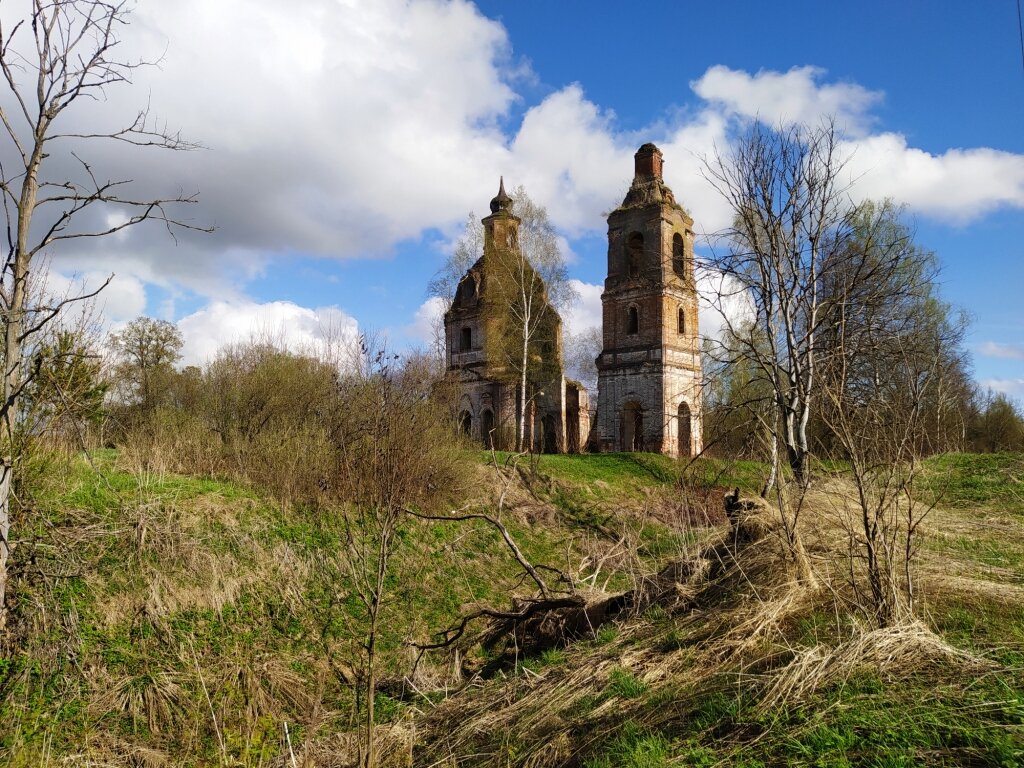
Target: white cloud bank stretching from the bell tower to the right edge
x: 959, y: 185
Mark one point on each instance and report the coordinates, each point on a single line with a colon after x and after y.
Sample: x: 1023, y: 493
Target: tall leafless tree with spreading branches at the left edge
x: 60, y: 55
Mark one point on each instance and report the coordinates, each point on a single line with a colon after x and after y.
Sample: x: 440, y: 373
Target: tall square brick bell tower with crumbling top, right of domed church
x: 650, y: 367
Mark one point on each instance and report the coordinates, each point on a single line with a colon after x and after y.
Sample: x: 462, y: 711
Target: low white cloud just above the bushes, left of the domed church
x: 327, y: 332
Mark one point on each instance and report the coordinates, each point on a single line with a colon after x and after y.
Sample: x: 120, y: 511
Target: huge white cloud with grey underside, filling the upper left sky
x: 336, y: 130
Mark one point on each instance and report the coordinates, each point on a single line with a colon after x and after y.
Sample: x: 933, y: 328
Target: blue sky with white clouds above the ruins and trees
x: 345, y: 142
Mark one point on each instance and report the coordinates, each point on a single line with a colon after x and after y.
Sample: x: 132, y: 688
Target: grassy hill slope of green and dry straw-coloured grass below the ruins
x: 178, y: 621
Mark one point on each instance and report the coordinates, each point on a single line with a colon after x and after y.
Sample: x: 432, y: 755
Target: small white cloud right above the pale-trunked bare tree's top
x: 788, y: 98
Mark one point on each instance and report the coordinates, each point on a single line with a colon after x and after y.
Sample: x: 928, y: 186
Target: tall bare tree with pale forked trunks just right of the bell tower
x: 791, y: 220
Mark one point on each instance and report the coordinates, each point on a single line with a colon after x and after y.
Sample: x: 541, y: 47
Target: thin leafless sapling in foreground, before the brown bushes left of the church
x: 393, y: 456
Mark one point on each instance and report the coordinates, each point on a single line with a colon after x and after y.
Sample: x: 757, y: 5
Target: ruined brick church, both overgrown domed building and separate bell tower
x: 650, y: 367
